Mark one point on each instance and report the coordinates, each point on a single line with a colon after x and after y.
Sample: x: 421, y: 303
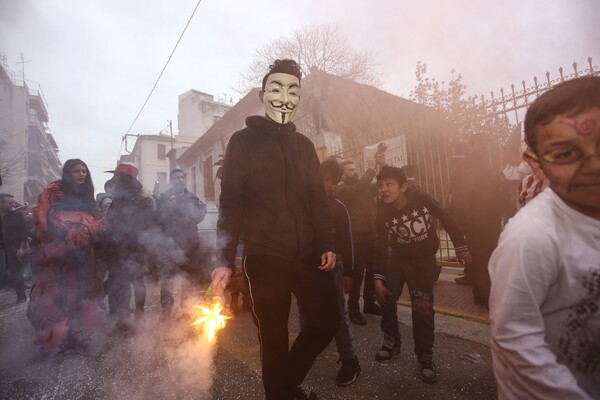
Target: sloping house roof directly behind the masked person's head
x: 350, y: 109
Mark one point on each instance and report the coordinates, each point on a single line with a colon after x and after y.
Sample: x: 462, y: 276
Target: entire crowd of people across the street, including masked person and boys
x: 322, y: 233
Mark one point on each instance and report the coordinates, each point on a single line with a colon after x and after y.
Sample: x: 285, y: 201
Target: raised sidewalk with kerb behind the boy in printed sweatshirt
x: 453, y: 299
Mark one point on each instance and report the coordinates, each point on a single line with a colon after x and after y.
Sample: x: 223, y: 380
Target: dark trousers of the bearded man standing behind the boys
x: 363, y: 268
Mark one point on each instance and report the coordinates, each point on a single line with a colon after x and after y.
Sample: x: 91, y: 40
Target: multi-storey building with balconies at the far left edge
x: 28, y: 152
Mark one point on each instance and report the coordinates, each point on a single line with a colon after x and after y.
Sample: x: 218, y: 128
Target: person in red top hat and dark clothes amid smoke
x: 128, y: 221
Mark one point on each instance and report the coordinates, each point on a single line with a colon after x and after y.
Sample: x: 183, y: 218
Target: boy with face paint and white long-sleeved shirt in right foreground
x: 545, y: 272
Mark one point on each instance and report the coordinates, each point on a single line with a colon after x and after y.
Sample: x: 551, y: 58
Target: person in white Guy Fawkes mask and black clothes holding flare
x: 273, y: 195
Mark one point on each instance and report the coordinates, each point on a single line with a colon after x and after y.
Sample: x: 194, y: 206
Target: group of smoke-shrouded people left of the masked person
x: 89, y: 250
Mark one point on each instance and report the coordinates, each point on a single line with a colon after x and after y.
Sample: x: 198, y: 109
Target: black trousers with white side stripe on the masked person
x: 272, y: 280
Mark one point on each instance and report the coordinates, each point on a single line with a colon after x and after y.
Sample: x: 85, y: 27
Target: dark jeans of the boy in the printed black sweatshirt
x: 419, y: 275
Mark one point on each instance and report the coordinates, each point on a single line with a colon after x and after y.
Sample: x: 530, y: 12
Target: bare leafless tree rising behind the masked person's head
x: 320, y: 46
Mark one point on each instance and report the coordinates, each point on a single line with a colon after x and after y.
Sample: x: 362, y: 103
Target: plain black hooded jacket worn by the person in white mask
x: 272, y: 194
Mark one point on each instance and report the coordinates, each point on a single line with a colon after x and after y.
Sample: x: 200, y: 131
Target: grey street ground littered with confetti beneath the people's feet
x: 173, y: 361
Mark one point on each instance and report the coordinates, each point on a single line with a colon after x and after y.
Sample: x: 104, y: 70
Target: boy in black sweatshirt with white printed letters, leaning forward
x: 405, y: 251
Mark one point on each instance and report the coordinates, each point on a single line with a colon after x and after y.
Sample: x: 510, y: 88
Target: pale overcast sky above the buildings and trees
x: 96, y: 60
